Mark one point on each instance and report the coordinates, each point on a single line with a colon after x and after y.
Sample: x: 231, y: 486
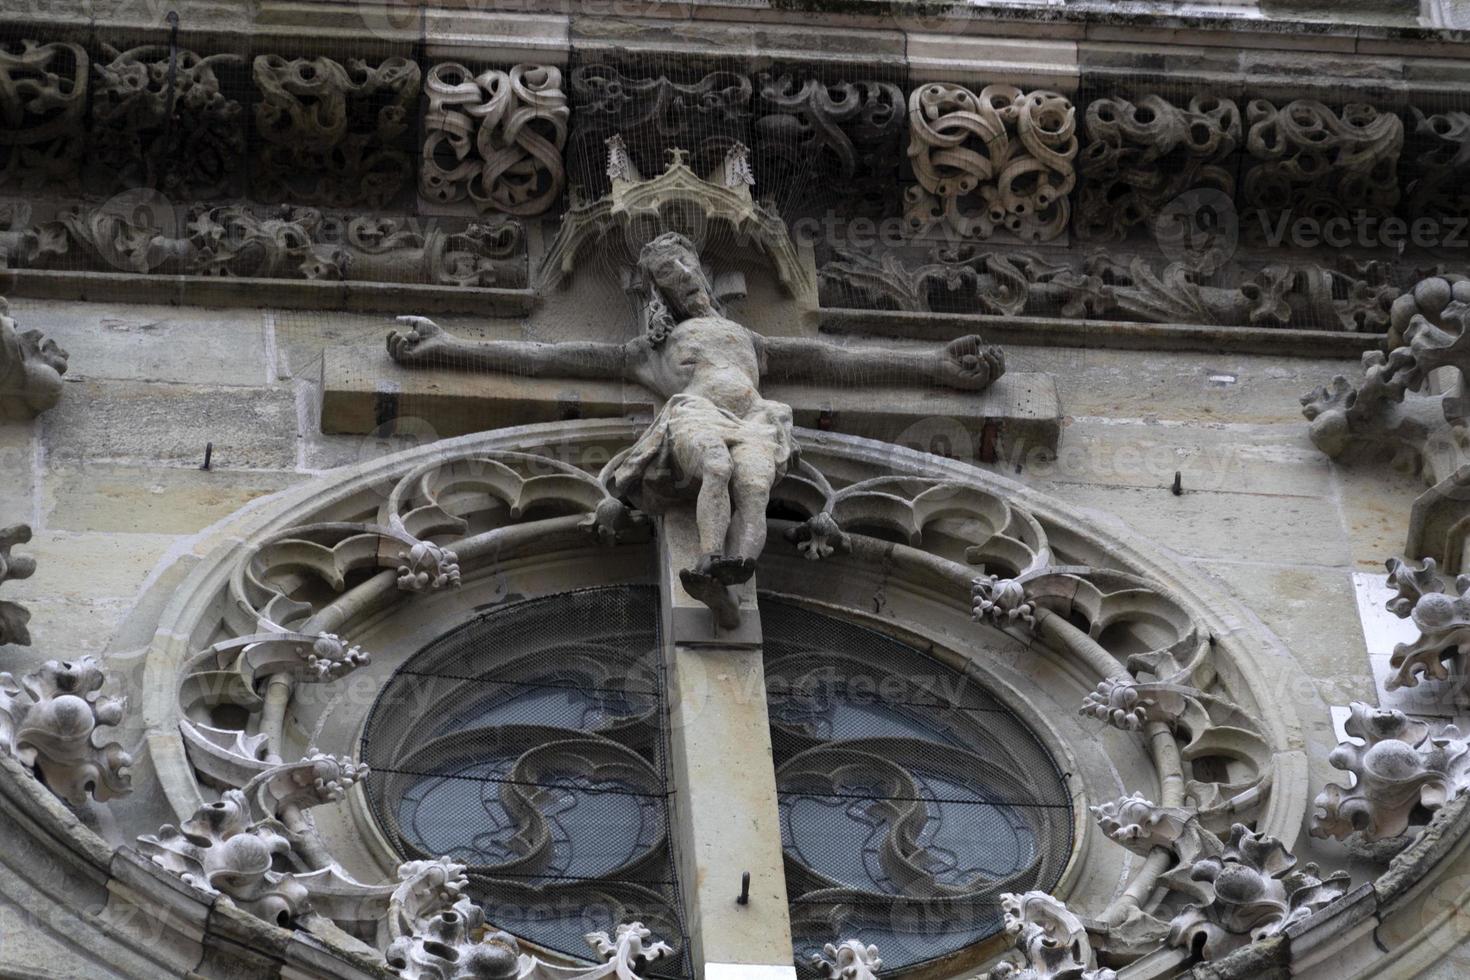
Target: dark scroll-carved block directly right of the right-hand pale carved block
x: 1139, y: 156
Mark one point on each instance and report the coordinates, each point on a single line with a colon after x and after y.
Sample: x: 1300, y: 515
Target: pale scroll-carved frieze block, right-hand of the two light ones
x: 1002, y: 161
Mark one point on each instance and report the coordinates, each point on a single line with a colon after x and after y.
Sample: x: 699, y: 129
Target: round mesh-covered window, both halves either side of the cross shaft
x: 531, y: 746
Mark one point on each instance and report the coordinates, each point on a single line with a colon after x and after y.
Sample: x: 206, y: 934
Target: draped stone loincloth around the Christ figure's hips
x: 650, y: 477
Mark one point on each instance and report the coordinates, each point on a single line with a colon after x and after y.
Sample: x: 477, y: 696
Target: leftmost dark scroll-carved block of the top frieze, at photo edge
x: 43, y: 101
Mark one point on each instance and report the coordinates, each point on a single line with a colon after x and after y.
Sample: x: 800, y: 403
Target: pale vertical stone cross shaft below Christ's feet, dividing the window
x: 725, y: 815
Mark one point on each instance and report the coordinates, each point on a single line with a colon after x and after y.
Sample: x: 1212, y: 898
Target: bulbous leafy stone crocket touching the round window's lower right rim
x: 1249, y: 893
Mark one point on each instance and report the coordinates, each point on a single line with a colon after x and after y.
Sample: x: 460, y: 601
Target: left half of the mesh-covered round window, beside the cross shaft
x: 530, y: 746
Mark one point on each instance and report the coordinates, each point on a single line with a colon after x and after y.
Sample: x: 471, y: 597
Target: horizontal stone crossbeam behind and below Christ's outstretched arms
x: 364, y: 390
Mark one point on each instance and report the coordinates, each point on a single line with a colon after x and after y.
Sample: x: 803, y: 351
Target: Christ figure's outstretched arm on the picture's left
x: 427, y: 345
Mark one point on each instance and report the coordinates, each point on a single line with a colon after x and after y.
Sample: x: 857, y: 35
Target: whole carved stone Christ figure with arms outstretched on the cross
x: 717, y: 437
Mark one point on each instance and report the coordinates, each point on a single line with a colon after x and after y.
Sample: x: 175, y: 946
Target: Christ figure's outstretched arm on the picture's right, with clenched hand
x: 968, y: 364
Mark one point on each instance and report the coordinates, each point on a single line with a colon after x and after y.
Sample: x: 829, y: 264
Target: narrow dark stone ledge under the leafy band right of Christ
x: 1043, y: 331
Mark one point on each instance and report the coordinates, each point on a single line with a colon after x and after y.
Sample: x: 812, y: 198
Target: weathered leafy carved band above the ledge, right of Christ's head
x: 967, y: 280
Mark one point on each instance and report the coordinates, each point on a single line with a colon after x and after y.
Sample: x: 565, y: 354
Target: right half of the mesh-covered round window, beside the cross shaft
x: 911, y: 797
